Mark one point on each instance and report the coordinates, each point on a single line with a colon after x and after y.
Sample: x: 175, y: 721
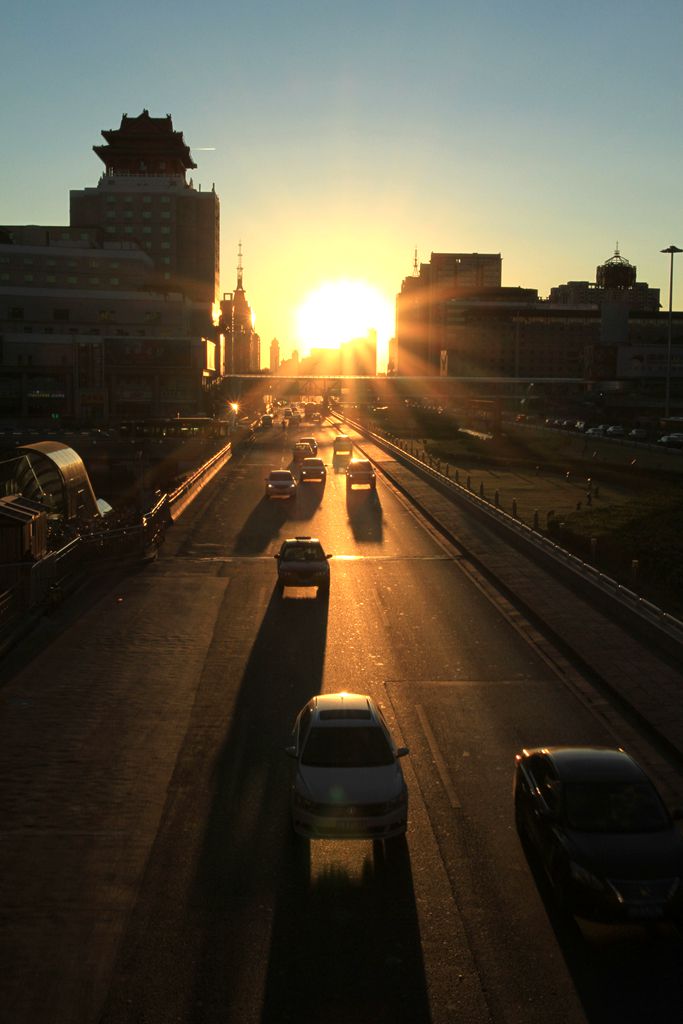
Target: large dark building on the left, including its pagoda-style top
x: 96, y: 325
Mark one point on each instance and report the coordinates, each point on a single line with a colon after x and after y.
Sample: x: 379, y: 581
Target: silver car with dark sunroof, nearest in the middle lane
x: 349, y: 783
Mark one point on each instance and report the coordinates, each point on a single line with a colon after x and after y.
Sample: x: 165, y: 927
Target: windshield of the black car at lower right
x: 614, y: 807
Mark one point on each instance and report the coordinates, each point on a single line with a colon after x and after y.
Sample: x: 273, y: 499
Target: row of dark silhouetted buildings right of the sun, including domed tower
x: 611, y: 330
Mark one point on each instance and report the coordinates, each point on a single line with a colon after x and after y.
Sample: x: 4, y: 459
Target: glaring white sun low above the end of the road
x: 344, y: 311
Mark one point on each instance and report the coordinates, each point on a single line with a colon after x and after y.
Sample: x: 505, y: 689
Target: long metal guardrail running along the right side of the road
x: 533, y: 541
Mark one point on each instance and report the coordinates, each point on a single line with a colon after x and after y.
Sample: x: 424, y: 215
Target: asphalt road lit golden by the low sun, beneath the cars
x: 149, y: 874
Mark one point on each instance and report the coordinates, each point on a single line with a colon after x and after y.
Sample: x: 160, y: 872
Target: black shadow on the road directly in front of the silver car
x: 347, y: 949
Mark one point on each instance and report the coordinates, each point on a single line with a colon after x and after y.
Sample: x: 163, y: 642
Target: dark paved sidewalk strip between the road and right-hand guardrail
x: 636, y: 675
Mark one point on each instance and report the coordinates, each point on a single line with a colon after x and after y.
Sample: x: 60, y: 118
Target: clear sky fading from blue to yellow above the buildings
x: 344, y: 138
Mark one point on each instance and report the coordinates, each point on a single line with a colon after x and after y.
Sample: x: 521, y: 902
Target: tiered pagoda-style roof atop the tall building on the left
x: 145, y: 146
